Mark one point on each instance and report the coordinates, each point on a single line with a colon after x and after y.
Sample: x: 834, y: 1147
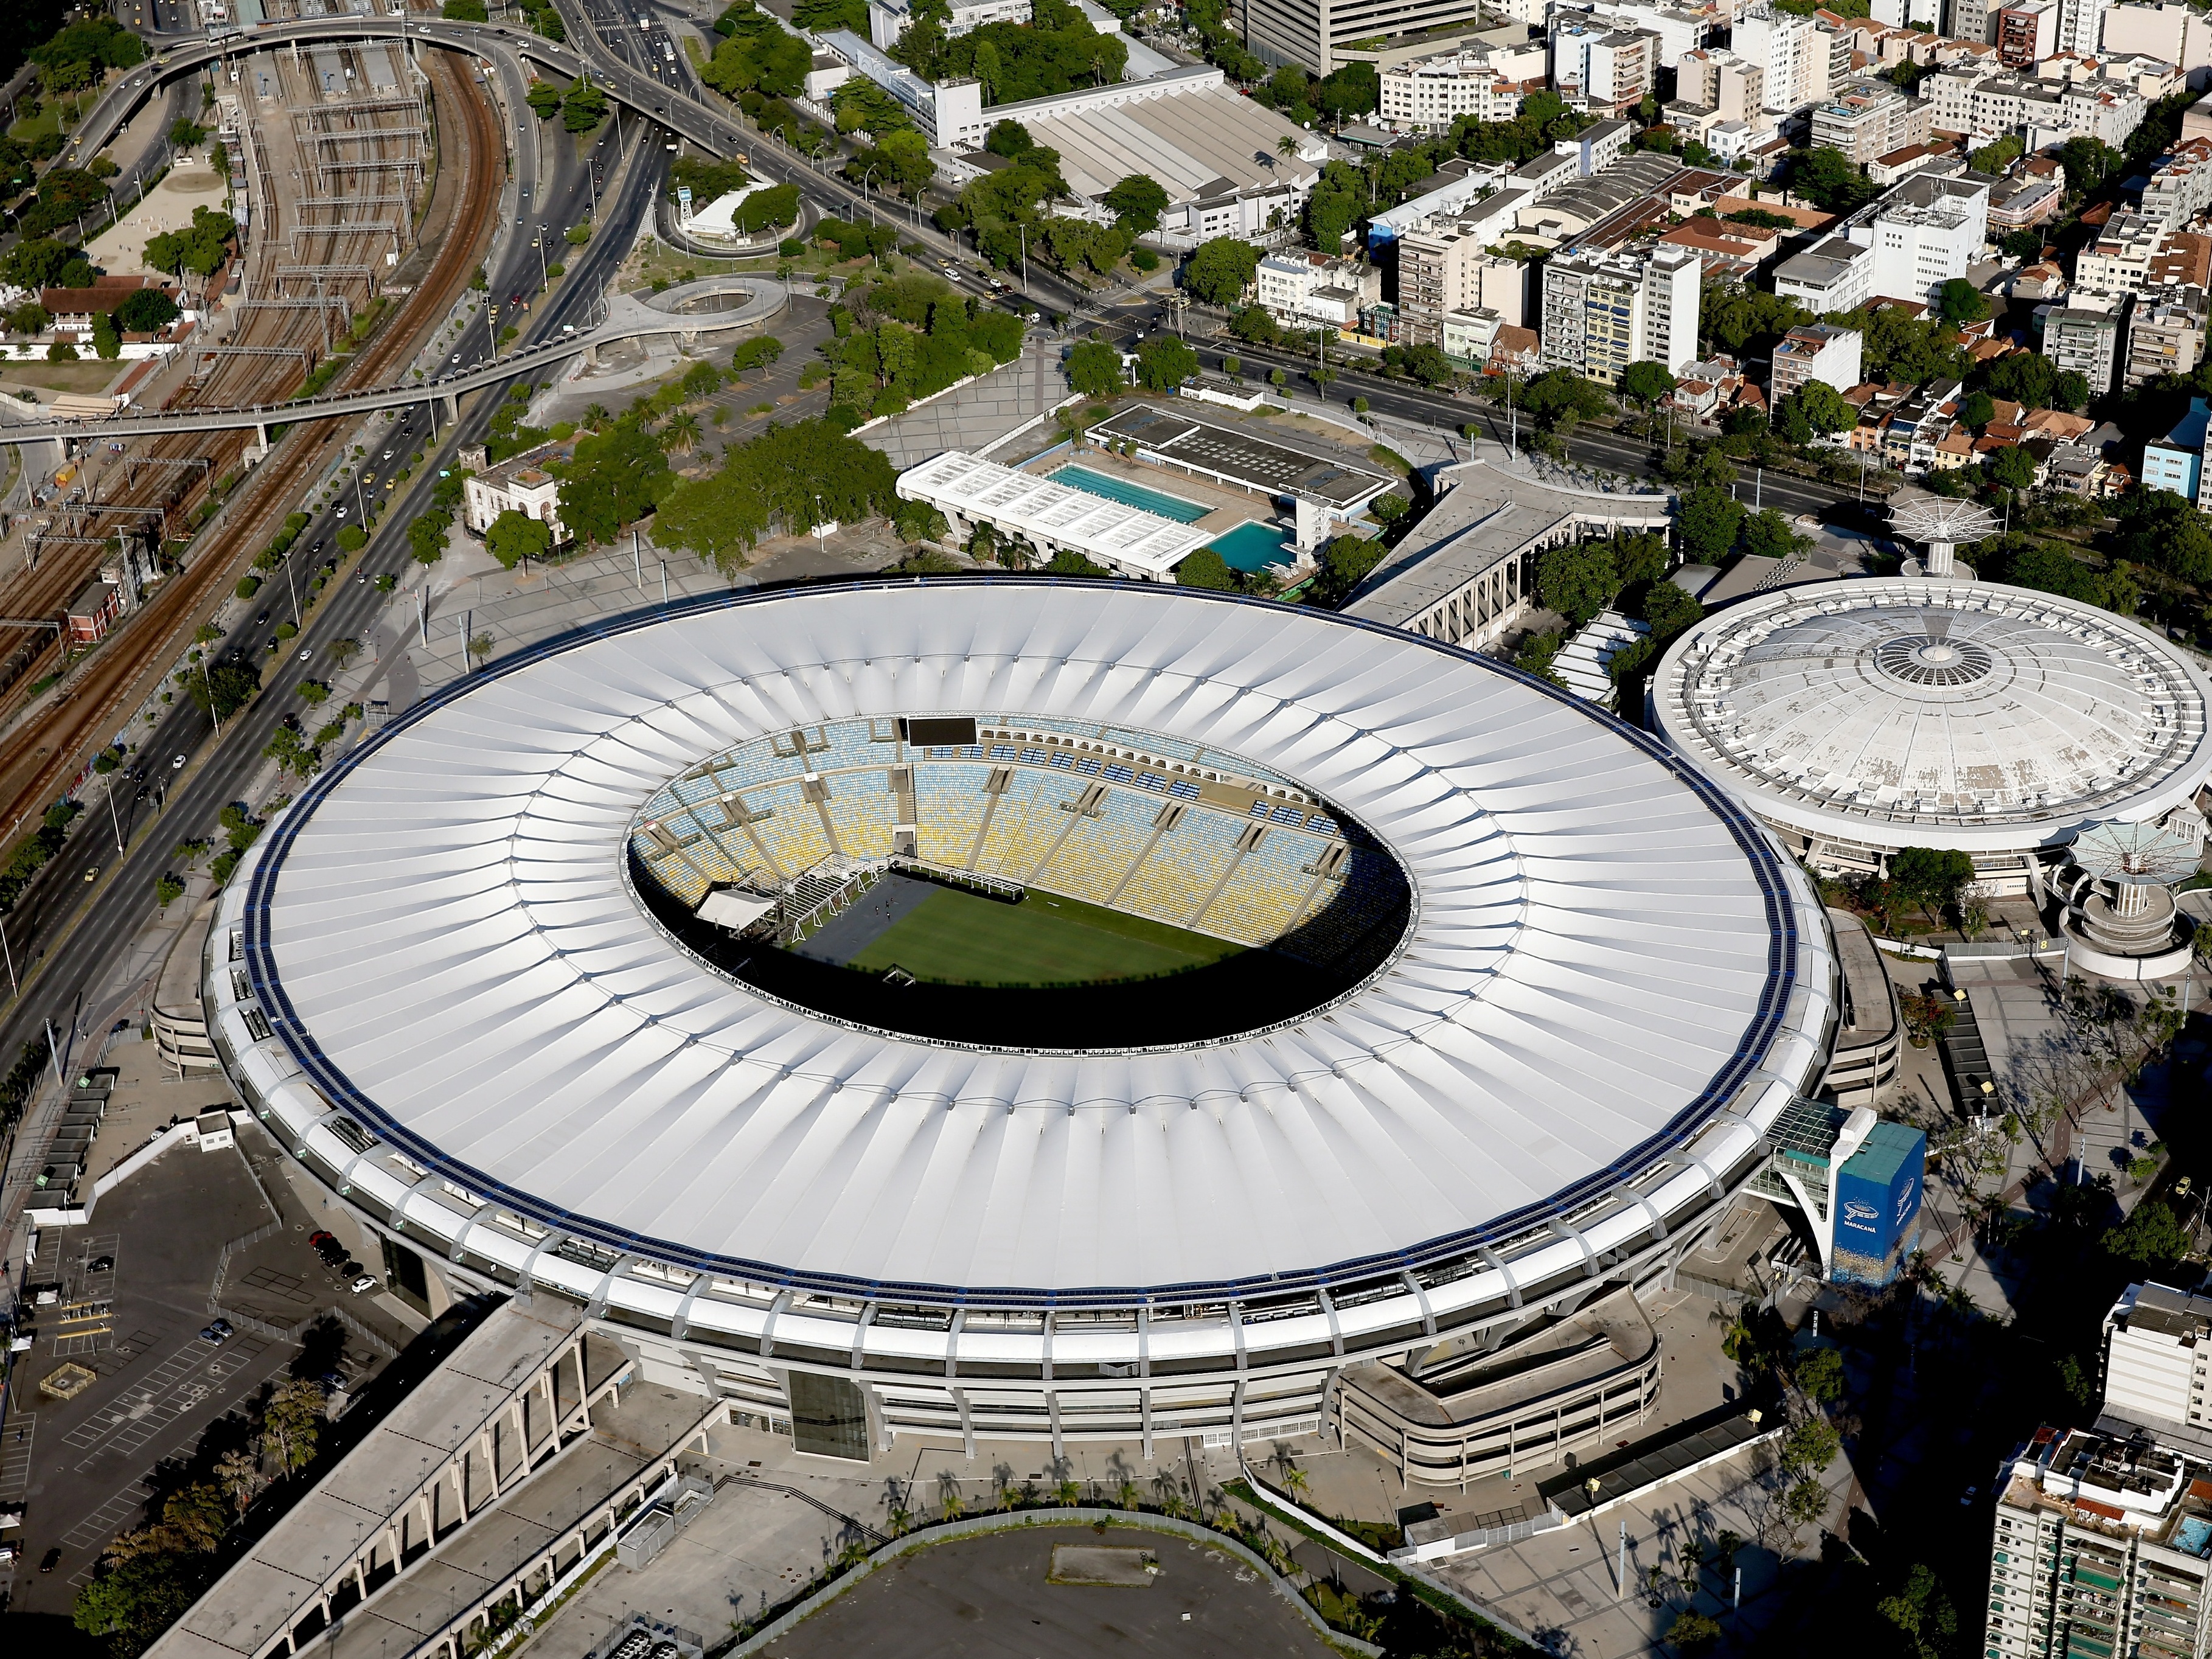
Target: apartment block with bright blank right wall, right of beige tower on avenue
x: 1609, y: 311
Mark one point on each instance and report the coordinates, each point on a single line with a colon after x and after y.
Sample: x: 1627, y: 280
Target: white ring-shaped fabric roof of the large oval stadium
x: 1609, y: 977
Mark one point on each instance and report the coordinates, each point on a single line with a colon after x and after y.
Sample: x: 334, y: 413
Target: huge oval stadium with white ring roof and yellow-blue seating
x: 1021, y: 1010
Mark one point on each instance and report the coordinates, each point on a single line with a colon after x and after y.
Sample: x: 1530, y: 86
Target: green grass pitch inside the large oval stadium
x: 961, y: 939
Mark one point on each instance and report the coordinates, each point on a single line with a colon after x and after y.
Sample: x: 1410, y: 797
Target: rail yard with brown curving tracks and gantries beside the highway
x: 353, y: 156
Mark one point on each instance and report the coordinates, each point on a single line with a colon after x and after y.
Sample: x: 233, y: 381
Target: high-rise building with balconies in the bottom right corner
x: 2100, y: 1550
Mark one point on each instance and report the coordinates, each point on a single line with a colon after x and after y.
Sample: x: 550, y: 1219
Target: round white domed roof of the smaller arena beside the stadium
x: 1957, y: 716
